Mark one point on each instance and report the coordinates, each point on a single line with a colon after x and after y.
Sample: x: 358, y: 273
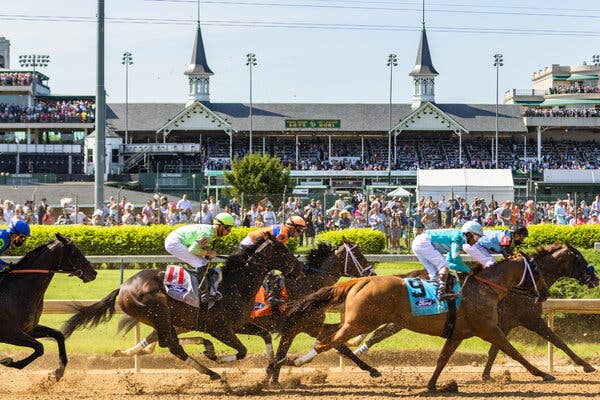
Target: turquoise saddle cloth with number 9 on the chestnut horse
x: 423, y: 297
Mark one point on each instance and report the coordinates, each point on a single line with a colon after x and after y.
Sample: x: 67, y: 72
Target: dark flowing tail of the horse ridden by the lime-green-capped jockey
x: 91, y: 316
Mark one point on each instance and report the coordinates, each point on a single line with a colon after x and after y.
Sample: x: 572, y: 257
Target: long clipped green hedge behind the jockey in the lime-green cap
x: 123, y: 240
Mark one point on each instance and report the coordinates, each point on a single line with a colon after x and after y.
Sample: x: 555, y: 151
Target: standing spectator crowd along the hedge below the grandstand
x: 392, y: 216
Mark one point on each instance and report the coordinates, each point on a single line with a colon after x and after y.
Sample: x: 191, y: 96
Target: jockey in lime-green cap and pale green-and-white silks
x: 193, y: 244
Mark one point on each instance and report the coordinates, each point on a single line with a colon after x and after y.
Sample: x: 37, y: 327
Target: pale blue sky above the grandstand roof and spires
x: 308, y: 50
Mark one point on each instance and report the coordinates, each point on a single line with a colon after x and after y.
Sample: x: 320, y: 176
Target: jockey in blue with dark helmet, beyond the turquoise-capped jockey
x: 495, y: 241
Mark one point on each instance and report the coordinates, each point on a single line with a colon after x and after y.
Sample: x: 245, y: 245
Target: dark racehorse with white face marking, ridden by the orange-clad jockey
x: 324, y: 266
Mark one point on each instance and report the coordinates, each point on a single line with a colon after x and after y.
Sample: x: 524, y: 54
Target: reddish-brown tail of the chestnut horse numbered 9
x: 316, y: 302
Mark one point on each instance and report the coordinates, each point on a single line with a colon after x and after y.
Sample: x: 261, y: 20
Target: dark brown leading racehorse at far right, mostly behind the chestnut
x: 517, y: 309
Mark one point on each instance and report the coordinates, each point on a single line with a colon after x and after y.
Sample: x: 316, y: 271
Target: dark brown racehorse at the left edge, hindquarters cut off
x: 22, y: 292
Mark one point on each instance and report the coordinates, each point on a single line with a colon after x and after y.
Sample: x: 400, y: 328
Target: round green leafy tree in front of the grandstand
x: 255, y: 176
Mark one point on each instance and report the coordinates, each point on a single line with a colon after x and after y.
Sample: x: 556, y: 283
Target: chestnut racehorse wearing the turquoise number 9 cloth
x: 373, y: 301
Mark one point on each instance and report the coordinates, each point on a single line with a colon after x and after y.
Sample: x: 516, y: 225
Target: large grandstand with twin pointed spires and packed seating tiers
x: 554, y: 125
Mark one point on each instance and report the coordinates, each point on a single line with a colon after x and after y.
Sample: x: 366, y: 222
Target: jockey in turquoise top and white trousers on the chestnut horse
x: 428, y: 248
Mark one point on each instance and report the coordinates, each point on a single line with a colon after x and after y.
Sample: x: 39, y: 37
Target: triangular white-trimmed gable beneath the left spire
x: 196, y: 116
